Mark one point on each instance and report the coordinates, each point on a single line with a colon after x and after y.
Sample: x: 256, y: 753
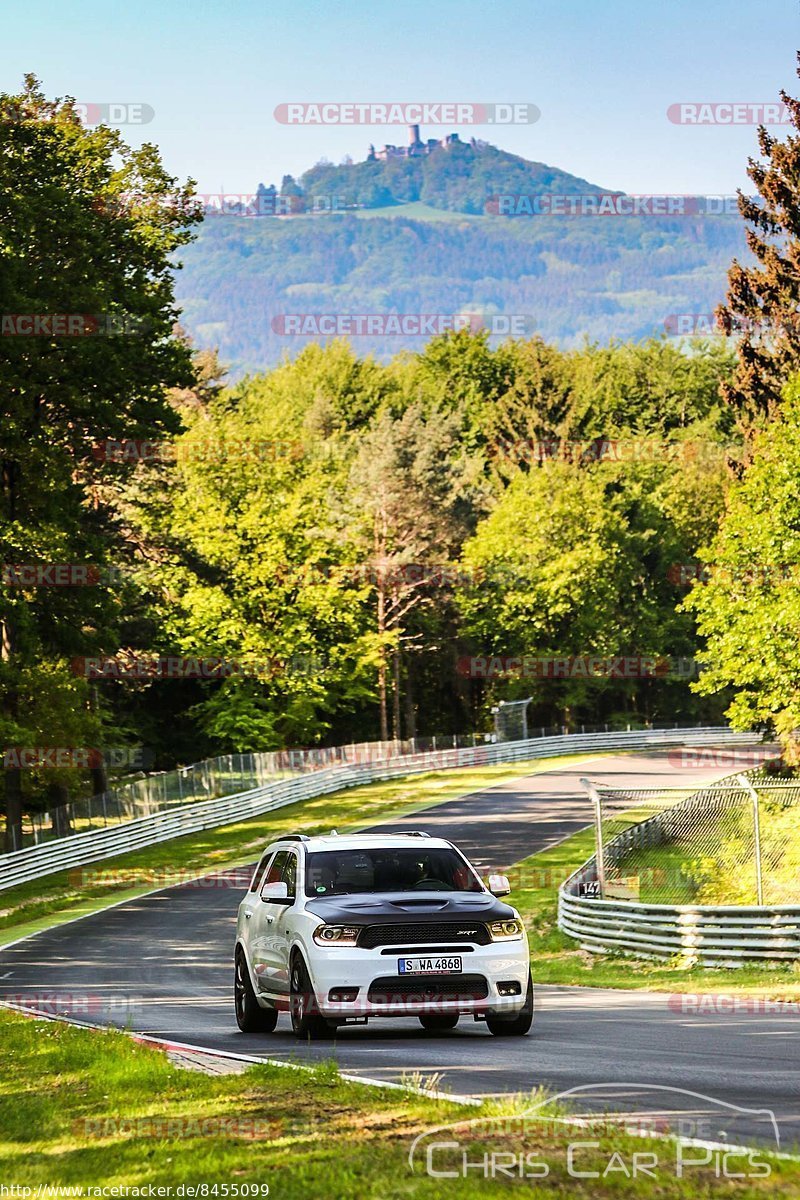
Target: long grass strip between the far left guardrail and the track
x: 34, y: 907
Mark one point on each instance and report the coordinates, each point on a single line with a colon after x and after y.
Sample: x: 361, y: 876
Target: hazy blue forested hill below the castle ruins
x: 417, y: 236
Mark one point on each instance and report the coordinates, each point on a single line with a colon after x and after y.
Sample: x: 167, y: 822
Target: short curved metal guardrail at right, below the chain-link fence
x: 711, y: 935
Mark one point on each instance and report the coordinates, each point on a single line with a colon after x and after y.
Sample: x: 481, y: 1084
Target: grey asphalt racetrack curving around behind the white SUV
x: 163, y: 965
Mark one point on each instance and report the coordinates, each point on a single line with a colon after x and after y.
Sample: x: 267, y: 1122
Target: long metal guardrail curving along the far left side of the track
x: 82, y: 849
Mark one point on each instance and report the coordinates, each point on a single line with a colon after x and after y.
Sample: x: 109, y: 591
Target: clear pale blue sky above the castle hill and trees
x: 603, y: 75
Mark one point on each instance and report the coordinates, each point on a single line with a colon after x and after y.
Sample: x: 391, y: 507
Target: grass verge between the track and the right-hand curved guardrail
x: 558, y: 959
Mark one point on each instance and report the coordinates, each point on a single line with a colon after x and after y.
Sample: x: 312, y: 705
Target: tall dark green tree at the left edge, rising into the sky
x: 88, y: 229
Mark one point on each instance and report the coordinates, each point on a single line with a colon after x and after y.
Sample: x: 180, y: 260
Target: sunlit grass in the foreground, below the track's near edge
x: 86, y: 1109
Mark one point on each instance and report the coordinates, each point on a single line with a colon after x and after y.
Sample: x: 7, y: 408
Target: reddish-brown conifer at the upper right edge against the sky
x: 763, y: 301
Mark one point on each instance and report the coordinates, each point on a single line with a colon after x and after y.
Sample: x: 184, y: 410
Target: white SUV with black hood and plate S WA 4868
x: 339, y: 929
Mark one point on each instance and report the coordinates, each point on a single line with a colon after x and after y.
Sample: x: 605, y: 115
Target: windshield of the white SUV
x: 344, y: 872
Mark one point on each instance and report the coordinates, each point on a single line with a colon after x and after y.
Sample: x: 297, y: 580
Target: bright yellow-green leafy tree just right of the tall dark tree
x: 254, y: 555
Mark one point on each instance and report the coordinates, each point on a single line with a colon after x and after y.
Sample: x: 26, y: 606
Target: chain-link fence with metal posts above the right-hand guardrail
x: 735, y: 843
